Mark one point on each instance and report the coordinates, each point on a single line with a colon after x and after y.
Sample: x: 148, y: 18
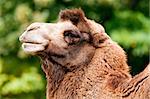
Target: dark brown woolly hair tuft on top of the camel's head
x: 75, y: 15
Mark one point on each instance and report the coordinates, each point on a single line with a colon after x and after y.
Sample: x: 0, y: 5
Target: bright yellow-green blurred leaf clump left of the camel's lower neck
x: 28, y: 82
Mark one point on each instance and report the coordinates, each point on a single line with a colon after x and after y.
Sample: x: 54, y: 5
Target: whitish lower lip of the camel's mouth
x: 32, y: 47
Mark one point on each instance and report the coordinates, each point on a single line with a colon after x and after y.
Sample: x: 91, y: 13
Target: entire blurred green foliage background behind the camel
x: 21, y: 77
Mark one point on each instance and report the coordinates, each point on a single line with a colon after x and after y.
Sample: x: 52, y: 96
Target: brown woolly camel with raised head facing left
x: 81, y: 61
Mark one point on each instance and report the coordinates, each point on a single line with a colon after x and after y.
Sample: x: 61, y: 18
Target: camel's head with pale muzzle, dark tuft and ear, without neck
x: 69, y: 42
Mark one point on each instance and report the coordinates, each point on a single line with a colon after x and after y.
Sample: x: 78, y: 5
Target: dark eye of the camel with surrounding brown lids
x: 71, y: 37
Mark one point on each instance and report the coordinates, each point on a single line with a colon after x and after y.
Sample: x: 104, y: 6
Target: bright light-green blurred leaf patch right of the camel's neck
x: 138, y: 40
